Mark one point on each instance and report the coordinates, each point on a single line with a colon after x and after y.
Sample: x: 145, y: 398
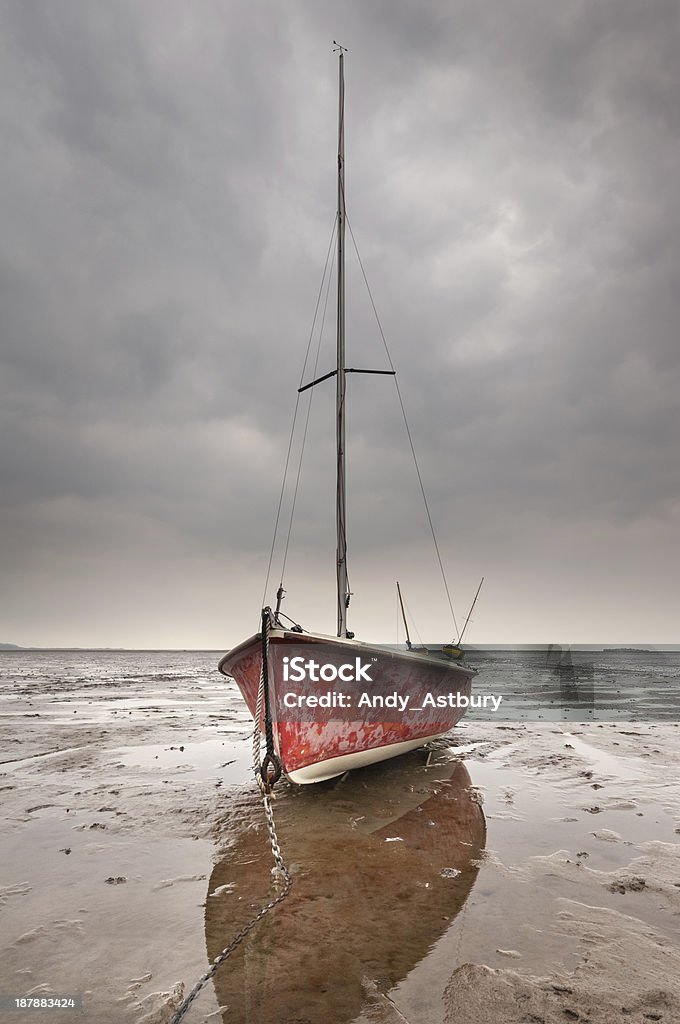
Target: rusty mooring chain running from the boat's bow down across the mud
x: 267, y: 774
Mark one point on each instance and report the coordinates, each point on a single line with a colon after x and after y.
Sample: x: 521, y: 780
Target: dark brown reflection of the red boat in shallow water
x: 382, y: 863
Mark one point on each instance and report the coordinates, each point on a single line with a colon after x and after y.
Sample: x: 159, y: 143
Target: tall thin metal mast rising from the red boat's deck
x: 344, y: 587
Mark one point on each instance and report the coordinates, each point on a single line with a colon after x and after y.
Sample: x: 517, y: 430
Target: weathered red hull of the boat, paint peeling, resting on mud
x: 373, y: 724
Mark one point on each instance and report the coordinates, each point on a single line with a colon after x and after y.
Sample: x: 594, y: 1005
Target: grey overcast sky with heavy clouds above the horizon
x: 168, y: 196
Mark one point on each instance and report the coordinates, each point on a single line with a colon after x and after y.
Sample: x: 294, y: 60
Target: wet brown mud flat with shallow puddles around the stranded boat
x: 519, y: 873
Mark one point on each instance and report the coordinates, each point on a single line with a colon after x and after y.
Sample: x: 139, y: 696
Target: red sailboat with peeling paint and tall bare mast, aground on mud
x: 331, y: 704
